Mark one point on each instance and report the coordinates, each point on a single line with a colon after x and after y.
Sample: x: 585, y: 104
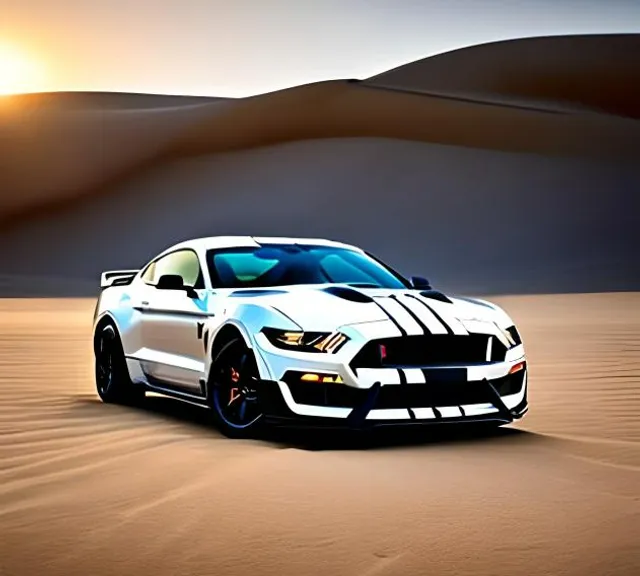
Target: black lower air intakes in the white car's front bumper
x: 433, y: 393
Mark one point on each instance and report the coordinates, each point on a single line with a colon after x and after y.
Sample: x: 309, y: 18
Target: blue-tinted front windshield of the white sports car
x: 289, y: 264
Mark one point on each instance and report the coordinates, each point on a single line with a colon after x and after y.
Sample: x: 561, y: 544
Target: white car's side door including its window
x: 172, y: 323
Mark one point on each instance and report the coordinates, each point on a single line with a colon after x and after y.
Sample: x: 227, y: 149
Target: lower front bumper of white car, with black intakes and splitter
x: 436, y: 402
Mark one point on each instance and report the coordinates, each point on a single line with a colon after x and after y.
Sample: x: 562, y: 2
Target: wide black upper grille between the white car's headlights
x: 427, y: 350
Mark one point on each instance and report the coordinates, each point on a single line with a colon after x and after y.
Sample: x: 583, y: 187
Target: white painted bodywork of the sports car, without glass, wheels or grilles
x: 164, y: 332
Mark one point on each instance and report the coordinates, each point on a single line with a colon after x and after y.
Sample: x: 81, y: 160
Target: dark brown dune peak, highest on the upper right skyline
x: 598, y: 72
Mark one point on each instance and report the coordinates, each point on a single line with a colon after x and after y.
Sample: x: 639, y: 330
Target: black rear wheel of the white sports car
x: 112, y: 377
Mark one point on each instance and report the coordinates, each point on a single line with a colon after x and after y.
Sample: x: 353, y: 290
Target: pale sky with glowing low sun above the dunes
x: 237, y: 48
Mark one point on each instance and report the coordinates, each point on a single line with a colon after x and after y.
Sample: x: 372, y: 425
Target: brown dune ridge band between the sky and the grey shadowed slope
x: 118, y: 135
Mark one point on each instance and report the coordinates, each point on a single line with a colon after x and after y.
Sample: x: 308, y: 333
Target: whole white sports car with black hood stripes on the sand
x: 303, y: 331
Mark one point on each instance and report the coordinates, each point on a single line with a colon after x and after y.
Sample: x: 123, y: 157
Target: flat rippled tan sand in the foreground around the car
x: 87, y: 488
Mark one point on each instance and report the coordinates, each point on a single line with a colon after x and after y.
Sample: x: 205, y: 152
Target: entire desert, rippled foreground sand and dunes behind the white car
x: 509, y: 168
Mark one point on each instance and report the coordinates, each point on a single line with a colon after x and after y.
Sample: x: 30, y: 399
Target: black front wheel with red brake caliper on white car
x: 234, y: 390
